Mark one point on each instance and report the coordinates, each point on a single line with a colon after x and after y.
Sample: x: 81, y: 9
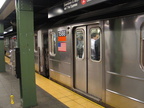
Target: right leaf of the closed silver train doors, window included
x: 95, y: 60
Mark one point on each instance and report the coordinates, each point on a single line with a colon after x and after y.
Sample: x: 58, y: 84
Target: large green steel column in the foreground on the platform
x: 25, y: 34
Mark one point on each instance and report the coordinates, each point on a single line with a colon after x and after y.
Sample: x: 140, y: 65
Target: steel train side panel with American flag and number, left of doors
x: 61, y: 57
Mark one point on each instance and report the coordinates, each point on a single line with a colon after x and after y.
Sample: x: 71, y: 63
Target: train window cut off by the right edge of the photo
x: 142, y: 47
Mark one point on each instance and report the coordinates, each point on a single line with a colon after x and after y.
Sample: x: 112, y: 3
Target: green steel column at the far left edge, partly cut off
x: 2, y: 60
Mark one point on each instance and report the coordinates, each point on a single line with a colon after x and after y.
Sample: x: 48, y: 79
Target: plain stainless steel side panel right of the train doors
x: 124, y: 77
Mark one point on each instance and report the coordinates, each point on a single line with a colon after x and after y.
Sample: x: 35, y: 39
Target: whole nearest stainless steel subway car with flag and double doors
x: 117, y: 76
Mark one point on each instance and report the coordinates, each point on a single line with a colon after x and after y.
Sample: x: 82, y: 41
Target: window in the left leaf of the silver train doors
x: 79, y: 43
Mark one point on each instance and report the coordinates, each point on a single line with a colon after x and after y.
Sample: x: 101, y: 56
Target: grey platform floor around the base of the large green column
x: 10, y: 84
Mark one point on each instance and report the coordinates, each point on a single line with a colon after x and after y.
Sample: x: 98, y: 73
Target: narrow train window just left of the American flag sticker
x: 53, y: 44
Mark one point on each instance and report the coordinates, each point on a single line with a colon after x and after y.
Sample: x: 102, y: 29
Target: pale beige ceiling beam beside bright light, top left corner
x: 8, y: 10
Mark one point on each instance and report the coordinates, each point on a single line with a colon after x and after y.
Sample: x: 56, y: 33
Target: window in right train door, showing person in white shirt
x: 95, y: 43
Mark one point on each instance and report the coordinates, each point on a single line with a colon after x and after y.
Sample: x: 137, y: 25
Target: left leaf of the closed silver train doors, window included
x: 80, y: 59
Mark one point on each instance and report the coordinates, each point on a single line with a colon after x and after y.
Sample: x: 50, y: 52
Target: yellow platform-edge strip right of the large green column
x: 66, y: 96
